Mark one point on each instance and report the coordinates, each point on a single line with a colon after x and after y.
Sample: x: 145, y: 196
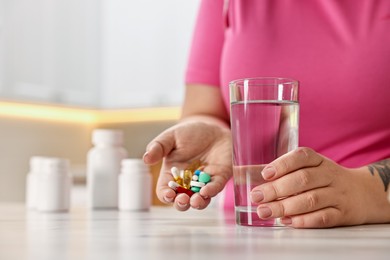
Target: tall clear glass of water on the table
x: 264, y: 116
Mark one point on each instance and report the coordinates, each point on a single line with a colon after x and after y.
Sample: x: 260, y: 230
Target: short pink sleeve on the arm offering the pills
x: 205, y: 53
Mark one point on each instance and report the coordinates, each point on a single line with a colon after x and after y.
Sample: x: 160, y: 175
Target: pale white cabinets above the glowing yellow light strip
x: 102, y: 53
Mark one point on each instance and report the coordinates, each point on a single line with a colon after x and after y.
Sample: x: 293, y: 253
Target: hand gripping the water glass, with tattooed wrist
x: 307, y: 190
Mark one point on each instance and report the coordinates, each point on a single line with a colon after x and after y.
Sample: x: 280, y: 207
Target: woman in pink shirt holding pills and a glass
x: 339, y: 50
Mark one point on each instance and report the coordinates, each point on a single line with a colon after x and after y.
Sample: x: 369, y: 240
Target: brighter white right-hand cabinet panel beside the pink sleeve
x: 144, y: 51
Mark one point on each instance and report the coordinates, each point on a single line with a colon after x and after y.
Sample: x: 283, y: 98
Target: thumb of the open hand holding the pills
x: 160, y: 147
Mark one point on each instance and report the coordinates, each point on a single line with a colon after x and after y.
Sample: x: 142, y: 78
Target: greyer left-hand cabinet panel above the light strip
x: 49, y: 50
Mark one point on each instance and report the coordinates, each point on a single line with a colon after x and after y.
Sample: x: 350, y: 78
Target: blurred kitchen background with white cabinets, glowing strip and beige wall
x: 68, y: 67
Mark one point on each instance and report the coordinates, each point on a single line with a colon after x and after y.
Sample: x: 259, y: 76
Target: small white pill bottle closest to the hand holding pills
x: 135, y: 186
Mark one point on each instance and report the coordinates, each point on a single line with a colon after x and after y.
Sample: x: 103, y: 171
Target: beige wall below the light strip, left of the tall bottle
x: 22, y: 138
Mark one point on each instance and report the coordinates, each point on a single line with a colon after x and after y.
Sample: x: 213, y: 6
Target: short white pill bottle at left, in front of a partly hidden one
x: 54, y: 185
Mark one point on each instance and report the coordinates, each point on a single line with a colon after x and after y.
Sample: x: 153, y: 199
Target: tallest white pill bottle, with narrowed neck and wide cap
x: 103, y: 168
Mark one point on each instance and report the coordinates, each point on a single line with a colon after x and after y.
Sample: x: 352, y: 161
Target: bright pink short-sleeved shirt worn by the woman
x: 339, y: 50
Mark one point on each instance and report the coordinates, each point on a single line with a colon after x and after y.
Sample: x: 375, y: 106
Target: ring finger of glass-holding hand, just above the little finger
x: 296, y: 205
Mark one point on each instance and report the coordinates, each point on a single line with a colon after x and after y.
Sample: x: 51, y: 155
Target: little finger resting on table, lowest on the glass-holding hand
x: 324, y: 218
